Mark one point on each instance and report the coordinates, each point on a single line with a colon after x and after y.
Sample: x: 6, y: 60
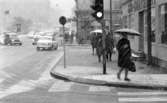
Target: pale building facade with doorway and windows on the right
x: 134, y: 15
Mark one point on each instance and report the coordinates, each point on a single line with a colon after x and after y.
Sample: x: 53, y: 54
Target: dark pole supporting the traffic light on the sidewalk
x: 104, y: 46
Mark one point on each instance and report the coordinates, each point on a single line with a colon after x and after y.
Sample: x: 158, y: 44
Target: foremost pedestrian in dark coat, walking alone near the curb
x: 124, y: 56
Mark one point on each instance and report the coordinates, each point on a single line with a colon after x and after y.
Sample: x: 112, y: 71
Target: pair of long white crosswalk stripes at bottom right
x: 142, y: 97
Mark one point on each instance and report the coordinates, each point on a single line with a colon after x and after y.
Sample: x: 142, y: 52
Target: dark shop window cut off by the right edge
x: 163, y: 23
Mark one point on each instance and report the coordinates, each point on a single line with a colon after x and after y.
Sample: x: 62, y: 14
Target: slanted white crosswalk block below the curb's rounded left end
x: 61, y: 86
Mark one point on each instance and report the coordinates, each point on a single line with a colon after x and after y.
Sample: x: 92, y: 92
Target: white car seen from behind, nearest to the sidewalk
x: 47, y: 42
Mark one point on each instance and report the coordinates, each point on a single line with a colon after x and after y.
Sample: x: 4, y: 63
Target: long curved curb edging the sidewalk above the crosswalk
x: 105, y: 83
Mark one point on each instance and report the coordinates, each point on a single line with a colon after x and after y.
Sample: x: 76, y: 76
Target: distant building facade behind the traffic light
x: 85, y: 21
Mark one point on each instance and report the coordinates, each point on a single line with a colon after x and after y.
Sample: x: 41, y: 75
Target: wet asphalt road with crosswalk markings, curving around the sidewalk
x: 25, y: 78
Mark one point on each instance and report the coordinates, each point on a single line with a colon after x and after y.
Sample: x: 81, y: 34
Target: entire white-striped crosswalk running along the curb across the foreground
x: 59, y: 86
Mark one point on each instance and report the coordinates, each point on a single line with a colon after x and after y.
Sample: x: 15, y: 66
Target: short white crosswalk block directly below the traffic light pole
x: 99, y: 89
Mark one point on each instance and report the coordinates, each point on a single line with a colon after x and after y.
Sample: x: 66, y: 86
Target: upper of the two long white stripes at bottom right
x: 140, y: 93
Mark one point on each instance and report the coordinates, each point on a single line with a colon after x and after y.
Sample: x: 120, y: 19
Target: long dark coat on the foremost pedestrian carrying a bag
x: 124, y: 53
